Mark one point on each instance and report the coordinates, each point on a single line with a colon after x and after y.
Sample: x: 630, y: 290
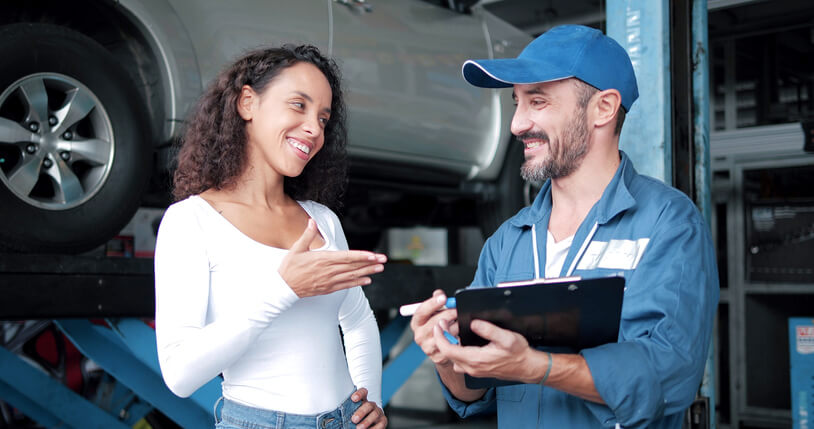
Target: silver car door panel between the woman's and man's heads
x: 401, y: 65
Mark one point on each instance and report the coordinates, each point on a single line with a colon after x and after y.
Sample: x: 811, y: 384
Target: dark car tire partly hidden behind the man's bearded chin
x: 511, y: 192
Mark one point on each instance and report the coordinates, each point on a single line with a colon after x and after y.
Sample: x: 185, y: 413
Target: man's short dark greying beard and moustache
x: 565, y: 155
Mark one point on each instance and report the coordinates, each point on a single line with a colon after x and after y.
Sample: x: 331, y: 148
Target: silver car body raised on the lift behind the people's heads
x: 400, y: 60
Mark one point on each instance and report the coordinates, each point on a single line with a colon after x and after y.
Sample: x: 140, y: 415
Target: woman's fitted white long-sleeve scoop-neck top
x: 222, y: 307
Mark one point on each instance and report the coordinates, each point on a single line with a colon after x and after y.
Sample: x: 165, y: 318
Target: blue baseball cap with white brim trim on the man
x: 559, y: 53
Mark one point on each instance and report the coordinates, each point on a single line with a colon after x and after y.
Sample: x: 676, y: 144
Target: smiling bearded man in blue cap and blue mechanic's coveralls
x: 595, y: 216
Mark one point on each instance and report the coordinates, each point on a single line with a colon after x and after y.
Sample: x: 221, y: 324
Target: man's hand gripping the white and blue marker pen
x: 425, y: 318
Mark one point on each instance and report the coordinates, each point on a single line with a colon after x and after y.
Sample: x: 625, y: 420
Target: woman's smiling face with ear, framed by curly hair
x: 285, y: 124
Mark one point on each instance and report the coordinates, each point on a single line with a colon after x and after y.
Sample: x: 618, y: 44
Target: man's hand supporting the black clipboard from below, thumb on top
x: 507, y: 356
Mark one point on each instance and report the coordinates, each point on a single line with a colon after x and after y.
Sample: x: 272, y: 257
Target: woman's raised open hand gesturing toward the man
x: 310, y: 273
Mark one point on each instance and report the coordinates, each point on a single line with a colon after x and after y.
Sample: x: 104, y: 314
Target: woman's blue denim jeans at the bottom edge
x: 237, y: 416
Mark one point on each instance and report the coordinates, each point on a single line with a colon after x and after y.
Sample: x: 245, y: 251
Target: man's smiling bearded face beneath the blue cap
x: 553, y: 128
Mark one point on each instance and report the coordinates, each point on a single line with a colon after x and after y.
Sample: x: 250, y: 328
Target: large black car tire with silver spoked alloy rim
x: 75, y: 151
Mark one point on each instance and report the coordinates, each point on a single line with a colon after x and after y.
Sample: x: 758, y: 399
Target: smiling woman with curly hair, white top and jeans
x: 252, y: 269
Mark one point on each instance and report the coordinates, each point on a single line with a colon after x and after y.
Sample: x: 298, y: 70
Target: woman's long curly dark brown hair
x: 213, y: 152
